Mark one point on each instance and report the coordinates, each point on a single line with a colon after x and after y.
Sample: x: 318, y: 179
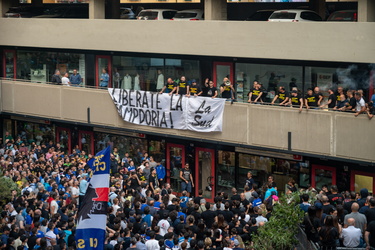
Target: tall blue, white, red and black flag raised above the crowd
x: 92, y: 214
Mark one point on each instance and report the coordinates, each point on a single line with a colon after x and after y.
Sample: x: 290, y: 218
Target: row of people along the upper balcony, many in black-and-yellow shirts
x: 338, y: 99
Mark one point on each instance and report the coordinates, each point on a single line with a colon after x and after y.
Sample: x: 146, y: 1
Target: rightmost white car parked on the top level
x: 294, y: 16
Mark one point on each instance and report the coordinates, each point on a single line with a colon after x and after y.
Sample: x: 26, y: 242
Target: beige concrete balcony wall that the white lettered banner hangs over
x: 324, y: 134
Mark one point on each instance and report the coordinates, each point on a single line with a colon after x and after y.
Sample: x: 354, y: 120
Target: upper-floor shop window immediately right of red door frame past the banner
x: 270, y: 76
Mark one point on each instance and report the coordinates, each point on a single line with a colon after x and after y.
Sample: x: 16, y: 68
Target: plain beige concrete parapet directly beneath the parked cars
x: 309, y: 41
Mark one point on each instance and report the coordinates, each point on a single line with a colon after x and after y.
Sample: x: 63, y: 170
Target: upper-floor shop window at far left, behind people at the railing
x: 39, y: 66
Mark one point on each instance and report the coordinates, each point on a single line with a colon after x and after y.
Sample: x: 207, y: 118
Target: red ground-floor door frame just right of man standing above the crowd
x: 213, y: 169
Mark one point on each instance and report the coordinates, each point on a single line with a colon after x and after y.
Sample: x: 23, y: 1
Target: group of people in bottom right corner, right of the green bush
x: 340, y: 219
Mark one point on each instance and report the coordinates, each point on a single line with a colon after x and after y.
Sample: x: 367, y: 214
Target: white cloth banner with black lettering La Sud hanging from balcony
x: 202, y: 114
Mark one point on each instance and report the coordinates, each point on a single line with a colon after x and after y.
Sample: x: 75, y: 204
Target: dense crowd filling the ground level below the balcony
x: 145, y: 213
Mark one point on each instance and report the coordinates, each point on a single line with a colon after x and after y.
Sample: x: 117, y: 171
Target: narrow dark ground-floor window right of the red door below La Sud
x: 225, y: 171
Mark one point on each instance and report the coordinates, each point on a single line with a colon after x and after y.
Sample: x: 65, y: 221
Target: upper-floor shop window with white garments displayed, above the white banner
x: 150, y: 74
